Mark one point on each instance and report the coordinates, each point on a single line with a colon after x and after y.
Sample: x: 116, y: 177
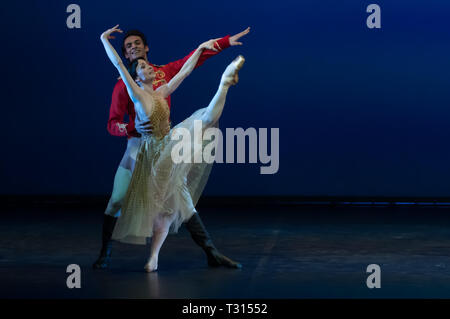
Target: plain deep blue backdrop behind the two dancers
x: 361, y: 112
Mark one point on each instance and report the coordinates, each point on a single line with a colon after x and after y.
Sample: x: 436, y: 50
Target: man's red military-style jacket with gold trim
x: 121, y: 103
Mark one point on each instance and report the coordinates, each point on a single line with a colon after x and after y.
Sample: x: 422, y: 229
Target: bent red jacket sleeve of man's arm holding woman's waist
x: 119, y: 102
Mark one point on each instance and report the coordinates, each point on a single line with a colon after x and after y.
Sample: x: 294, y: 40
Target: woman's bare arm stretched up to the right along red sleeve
x: 187, y: 68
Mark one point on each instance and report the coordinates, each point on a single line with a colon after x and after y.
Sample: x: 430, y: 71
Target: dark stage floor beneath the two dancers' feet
x: 286, y: 252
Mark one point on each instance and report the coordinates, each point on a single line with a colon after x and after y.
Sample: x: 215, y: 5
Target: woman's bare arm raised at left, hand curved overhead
x: 134, y: 91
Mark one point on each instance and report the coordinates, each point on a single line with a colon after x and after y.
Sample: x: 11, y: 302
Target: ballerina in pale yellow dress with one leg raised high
x: 163, y: 193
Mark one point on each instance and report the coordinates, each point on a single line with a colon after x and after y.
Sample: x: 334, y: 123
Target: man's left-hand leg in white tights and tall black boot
x: 121, y: 182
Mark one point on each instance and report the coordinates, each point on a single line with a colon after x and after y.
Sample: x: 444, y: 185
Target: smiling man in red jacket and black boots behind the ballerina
x: 135, y: 46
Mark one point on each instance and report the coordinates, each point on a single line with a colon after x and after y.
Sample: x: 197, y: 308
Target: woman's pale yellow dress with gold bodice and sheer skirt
x: 160, y: 186
